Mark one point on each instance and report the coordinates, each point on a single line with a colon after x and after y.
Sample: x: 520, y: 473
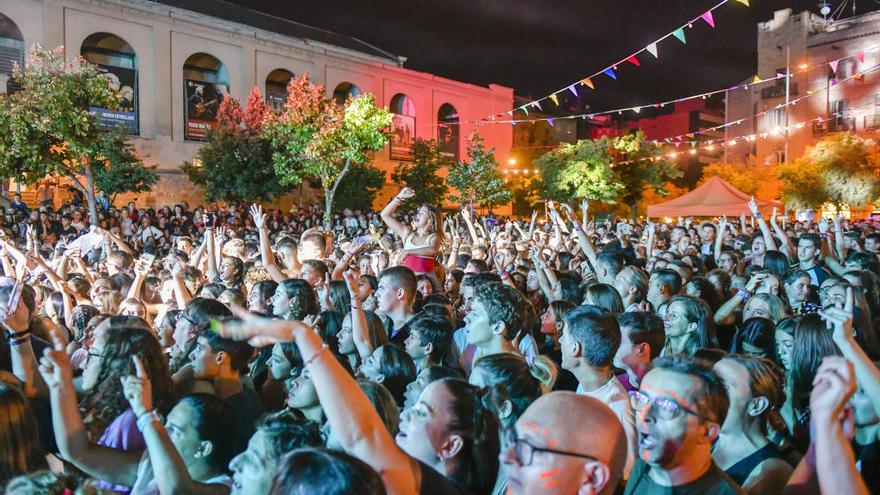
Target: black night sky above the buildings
x: 538, y: 46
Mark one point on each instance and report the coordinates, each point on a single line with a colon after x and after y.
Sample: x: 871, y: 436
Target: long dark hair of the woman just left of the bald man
x: 476, y: 465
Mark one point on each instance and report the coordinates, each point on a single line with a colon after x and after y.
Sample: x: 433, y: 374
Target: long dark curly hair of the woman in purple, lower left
x: 127, y: 336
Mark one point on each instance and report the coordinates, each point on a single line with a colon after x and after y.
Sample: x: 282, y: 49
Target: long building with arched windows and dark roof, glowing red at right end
x: 174, y: 60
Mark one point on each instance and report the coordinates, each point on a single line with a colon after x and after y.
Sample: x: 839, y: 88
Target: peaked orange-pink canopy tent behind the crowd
x: 713, y: 199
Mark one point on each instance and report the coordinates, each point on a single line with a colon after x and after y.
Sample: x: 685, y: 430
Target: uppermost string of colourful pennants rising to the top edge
x: 612, y: 70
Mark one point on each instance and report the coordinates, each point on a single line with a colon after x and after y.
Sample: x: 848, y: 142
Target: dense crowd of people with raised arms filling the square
x: 231, y: 349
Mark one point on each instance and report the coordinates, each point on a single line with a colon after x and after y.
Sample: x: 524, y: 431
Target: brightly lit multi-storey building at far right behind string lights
x: 833, y: 66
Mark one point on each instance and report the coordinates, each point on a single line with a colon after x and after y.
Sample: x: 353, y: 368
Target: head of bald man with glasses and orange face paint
x: 565, y: 444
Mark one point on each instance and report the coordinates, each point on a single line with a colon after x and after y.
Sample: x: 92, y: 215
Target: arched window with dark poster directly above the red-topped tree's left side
x: 205, y: 84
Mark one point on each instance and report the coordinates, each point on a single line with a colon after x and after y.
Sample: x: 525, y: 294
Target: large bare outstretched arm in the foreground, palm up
x: 354, y: 420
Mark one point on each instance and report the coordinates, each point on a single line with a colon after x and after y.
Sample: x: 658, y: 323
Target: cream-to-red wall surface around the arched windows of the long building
x: 164, y: 37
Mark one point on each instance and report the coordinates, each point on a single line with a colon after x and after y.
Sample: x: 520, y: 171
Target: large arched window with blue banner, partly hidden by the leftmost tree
x: 117, y: 60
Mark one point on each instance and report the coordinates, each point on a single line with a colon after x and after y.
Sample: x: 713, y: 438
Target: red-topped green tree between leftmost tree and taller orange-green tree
x: 235, y: 164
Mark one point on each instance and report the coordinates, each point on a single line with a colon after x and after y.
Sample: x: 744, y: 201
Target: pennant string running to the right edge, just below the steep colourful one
x: 756, y: 81
